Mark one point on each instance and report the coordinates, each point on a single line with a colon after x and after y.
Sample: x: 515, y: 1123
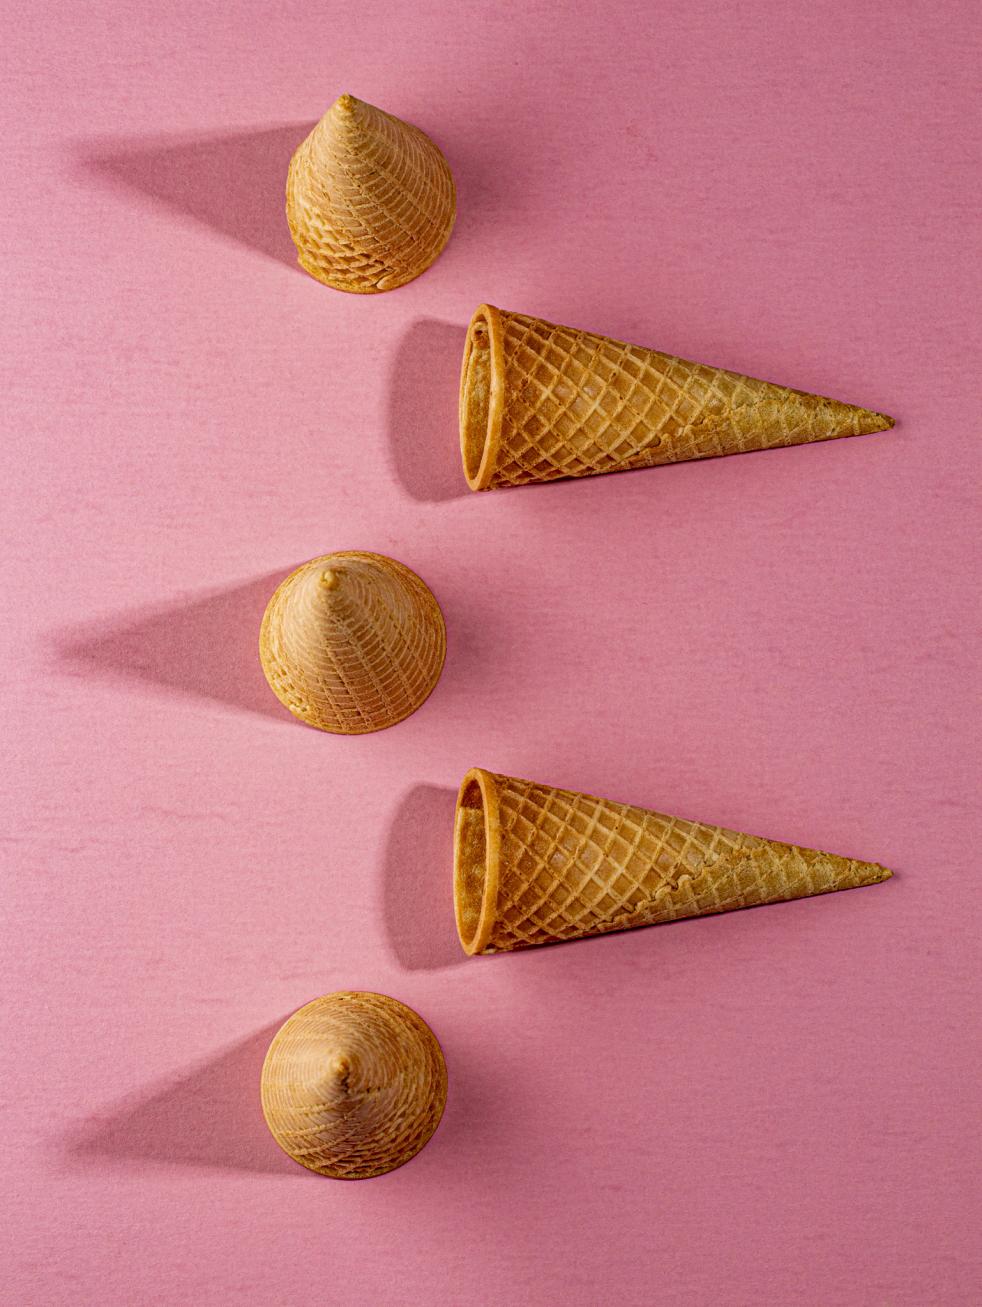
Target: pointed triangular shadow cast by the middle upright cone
x: 206, y: 648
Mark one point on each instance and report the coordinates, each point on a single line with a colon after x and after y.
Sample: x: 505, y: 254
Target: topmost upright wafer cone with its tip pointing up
x: 371, y: 199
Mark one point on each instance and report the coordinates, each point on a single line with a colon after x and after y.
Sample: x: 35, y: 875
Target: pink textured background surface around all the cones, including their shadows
x: 767, y: 1109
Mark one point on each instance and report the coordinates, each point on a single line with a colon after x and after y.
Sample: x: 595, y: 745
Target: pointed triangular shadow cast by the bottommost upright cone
x: 210, y: 1117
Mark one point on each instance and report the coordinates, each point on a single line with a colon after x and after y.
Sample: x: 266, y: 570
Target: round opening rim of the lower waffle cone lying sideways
x: 477, y: 861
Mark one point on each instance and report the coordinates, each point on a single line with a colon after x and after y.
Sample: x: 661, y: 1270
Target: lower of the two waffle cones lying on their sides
x: 537, y: 866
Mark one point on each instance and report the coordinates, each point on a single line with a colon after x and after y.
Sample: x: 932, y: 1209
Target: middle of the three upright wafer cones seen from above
x: 352, y: 642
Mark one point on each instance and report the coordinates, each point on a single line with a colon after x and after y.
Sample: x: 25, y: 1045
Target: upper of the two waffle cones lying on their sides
x: 541, y: 402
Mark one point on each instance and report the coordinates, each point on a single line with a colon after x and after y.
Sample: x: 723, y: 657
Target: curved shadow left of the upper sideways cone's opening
x: 423, y: 399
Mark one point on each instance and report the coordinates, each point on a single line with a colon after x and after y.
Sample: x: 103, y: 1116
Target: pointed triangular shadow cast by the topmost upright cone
x: 232, y: 182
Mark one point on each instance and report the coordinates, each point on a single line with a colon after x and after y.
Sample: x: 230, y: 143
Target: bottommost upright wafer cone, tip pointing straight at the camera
x: 354, y: 1085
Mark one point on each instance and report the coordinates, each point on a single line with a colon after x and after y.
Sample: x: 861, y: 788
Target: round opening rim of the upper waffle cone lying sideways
x: 482, y: 397
